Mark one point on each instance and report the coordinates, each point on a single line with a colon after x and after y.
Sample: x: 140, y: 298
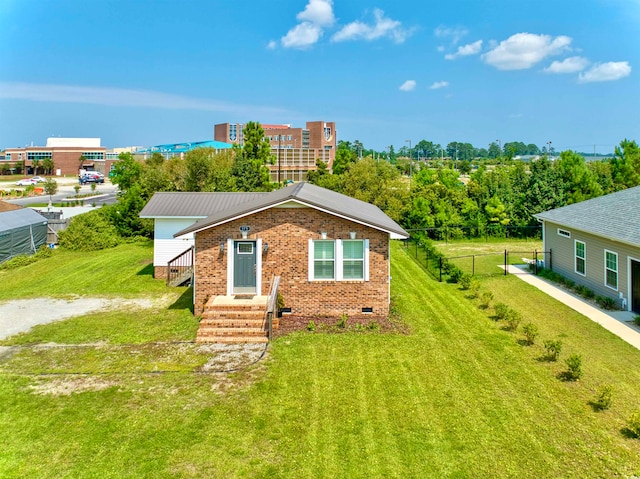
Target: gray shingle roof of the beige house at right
x: 615, y: 216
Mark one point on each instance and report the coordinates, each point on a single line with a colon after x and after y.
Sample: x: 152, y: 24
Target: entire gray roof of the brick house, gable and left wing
x: 228, y: 208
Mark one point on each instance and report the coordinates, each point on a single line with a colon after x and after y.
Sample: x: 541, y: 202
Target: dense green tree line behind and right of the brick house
x: 438, y: 194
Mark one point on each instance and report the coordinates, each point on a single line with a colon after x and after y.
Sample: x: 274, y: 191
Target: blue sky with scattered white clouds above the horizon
x: 148, y: 72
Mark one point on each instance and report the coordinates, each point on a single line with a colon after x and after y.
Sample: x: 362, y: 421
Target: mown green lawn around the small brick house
x: 458, y: 397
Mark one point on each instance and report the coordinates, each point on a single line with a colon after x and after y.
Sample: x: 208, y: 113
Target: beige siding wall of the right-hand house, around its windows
x: 563, y: 259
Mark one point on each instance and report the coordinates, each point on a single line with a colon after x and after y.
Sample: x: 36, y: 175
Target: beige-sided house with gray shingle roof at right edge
x: 597, y: 243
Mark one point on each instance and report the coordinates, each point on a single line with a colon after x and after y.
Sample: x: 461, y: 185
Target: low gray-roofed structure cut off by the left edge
x: 22, y: 231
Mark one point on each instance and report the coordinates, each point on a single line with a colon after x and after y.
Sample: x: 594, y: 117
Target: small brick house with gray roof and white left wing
x: 331, y: 251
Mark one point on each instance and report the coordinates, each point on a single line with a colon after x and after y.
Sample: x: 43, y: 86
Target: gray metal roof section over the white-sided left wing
x: 172, y: 204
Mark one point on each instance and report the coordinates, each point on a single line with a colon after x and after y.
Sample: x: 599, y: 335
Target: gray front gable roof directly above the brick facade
x: 309, y: 195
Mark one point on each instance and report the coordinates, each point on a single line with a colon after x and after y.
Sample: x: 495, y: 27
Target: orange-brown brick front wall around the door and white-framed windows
x: 287, y: 231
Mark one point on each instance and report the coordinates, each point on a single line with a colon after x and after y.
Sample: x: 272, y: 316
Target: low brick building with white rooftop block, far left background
x: 65, y: 154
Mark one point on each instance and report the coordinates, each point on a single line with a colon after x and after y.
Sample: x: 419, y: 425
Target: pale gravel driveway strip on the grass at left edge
x: 21, y: 315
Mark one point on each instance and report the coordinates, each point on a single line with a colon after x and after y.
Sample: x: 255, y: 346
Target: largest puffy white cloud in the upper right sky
x: 523, y: 50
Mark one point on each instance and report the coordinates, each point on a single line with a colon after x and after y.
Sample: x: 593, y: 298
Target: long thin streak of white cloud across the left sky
x: 120, y: 97
